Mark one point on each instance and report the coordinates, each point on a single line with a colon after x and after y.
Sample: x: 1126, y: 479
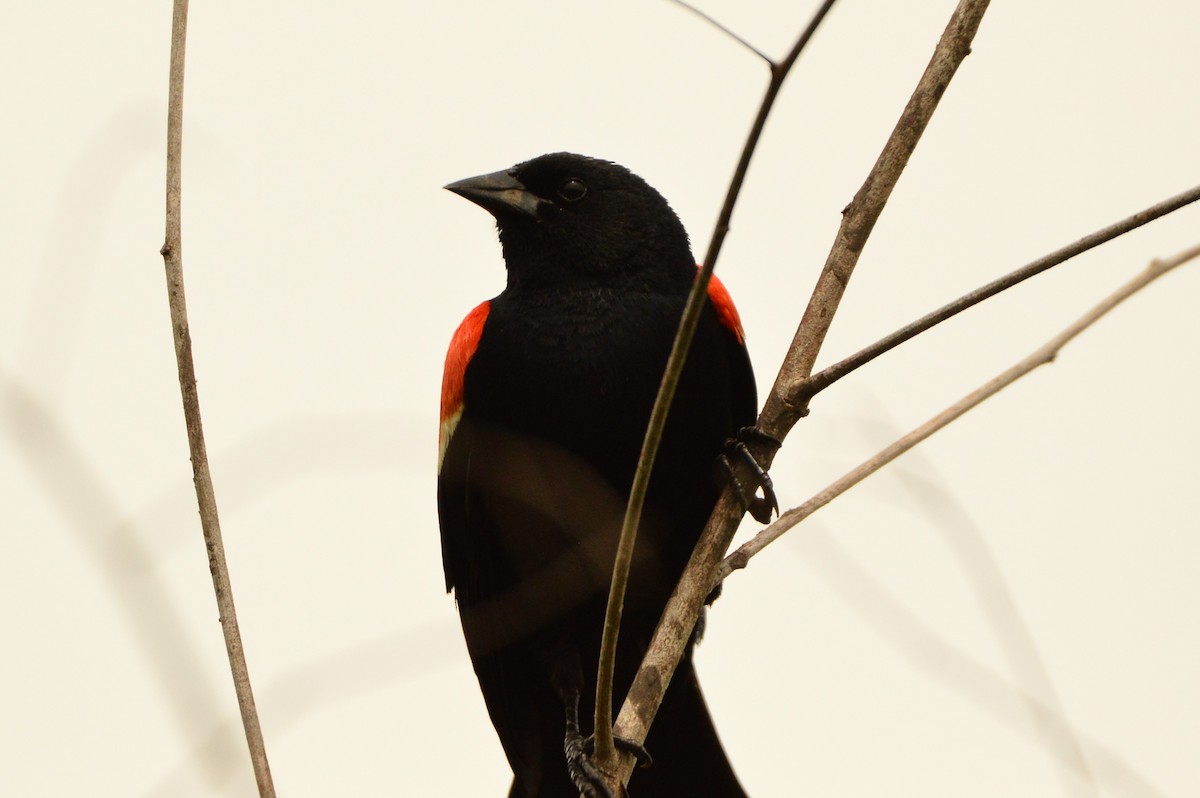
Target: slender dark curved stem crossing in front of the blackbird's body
x: 605, y: 752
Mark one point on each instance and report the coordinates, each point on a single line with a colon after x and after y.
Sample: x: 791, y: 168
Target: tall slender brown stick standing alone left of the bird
x: 173, y: 259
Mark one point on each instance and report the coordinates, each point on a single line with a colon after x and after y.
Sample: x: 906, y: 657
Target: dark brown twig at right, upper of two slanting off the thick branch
x: 823, y: 380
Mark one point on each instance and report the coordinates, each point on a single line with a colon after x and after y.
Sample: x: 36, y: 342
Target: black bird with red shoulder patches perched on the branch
x: 545, y: 400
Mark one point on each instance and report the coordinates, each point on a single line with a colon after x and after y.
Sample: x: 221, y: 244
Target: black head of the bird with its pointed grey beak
x: 567, y: 219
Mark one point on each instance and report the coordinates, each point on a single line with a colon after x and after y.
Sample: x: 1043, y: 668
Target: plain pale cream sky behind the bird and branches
x: 326, y: 271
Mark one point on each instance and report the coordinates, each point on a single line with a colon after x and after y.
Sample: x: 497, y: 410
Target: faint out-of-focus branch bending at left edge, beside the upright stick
x: 74, y: 482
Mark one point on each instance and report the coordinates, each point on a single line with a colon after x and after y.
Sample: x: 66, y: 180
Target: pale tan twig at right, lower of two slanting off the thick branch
x: 1043, y: 356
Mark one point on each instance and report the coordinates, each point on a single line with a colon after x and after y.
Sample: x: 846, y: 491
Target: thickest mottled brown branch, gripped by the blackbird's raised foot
x: 781, y: 413
